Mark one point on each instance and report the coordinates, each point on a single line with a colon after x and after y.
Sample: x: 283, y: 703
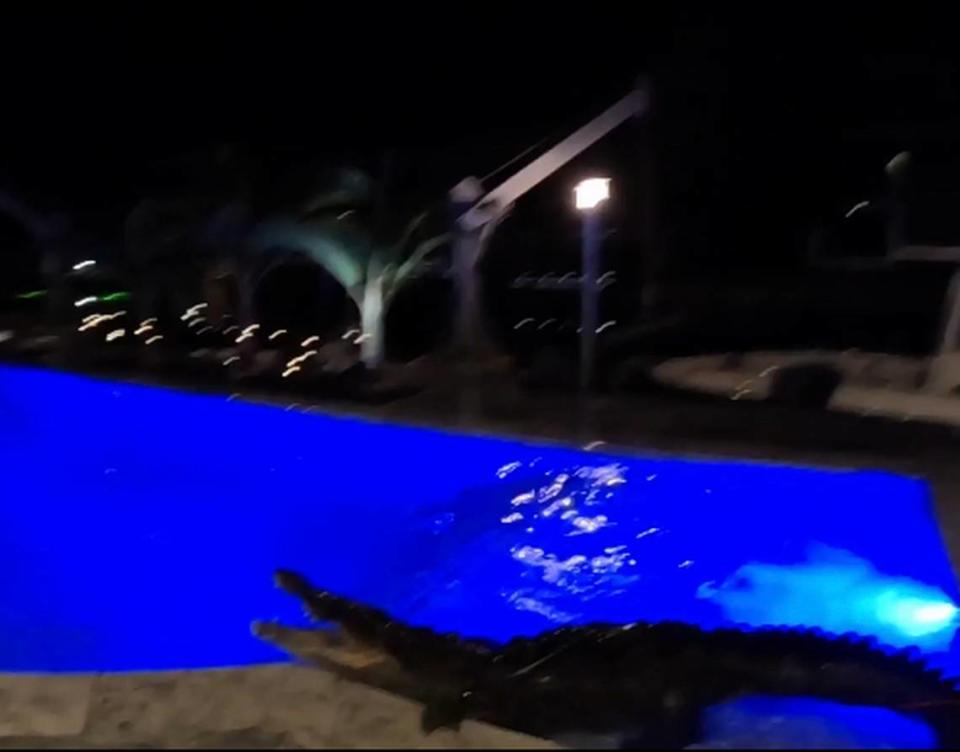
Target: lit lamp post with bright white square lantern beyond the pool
x: 590, y: 195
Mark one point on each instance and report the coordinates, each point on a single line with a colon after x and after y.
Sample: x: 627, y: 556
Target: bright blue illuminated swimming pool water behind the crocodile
x: 140, y: 527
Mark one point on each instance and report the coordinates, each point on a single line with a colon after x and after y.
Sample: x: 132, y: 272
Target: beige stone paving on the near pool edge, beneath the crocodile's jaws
x: 260, y: 707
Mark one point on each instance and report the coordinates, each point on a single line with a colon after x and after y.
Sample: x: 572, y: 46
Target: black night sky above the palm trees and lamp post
x: 763, y: 120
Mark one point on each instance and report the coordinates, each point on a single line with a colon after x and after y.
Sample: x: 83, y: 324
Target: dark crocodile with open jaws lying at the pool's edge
x: 646, y: 683
